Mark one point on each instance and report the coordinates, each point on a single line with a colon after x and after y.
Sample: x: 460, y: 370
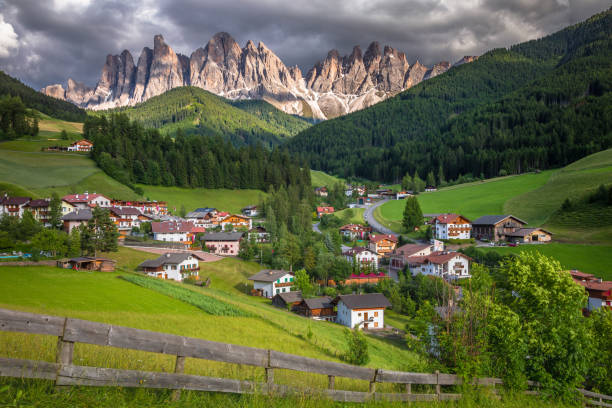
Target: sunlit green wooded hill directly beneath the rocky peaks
x: 197, y: 111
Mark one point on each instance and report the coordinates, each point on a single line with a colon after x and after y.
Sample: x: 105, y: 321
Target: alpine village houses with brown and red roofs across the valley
x: 208, y: 233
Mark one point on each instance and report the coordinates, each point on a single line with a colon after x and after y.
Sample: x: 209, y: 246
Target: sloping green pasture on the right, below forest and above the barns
x: 534, y: 198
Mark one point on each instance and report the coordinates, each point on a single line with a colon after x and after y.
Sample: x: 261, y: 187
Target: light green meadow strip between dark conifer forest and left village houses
x: 224, y: 200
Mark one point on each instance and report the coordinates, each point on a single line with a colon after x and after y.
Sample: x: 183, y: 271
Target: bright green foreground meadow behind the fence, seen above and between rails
x: 102, y: 297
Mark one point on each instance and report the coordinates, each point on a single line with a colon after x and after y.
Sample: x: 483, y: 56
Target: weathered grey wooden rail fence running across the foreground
x: 70, y: 331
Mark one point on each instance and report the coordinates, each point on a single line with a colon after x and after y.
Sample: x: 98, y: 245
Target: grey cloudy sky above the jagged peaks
x: 57, y: 39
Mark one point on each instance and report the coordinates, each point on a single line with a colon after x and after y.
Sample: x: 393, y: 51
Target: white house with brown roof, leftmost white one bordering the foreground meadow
x: 173, y: 266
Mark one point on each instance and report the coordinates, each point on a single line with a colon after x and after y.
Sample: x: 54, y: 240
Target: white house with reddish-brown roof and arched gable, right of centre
x: 447, y: 265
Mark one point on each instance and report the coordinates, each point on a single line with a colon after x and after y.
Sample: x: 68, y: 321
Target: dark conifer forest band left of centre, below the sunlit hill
x: 132, y: 154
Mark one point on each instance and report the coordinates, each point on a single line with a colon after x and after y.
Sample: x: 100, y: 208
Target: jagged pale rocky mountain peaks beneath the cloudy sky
x: 333, y: 87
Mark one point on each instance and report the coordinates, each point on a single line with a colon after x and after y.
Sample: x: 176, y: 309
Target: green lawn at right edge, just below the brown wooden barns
x: 587, y: 258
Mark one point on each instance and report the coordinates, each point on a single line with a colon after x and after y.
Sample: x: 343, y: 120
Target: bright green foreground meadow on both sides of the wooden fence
x: 102, y: 297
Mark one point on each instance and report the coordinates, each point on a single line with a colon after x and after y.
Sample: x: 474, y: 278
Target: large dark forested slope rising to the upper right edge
x: 540, y: 104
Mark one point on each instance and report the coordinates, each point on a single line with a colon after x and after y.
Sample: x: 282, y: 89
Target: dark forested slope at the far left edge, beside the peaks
x: 35, y: 100
